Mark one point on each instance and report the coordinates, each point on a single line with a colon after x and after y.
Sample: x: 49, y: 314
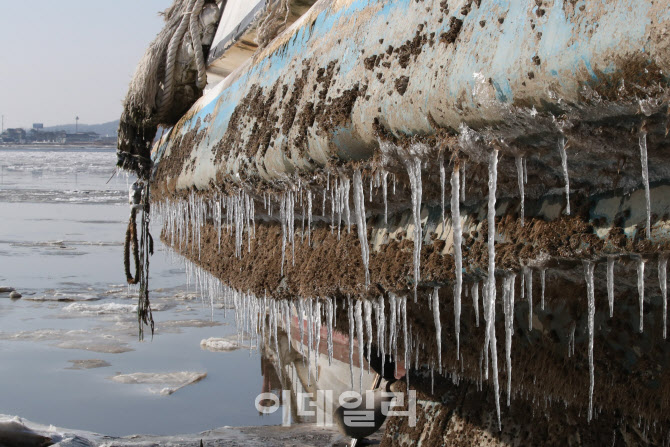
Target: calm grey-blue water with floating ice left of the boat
x: 61, y: 247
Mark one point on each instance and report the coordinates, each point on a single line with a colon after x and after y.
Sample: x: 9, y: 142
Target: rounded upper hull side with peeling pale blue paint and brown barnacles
x: 503, y: 67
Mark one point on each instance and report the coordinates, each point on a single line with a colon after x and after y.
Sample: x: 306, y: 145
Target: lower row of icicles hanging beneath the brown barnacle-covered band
x: 262, y: 316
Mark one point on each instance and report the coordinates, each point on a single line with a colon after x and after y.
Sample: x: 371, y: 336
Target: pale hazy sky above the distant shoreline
x: 63, y: 58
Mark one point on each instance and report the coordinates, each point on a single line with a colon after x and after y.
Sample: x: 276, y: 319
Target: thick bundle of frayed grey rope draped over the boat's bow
x: 168, y: 80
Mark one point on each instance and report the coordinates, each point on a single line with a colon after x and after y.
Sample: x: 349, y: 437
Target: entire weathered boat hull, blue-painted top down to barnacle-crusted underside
x: 545, y: 123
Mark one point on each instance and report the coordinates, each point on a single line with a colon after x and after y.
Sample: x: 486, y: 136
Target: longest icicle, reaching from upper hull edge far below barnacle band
x: 491, y: 295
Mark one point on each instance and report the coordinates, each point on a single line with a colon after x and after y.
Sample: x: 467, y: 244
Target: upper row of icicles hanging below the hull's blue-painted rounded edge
x: 185, y: 218
